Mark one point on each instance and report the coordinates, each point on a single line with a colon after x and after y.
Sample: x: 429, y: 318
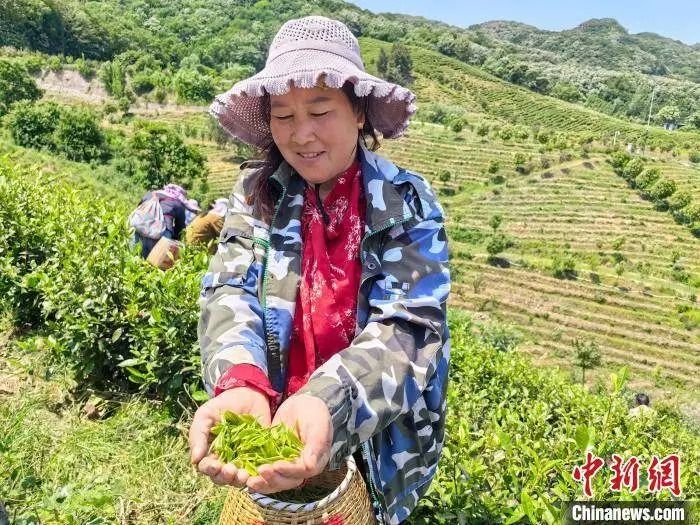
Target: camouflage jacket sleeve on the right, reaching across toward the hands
x: 388, y: 366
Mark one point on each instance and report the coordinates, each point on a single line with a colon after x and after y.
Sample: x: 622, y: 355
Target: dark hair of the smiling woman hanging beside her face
x: 262, y: 195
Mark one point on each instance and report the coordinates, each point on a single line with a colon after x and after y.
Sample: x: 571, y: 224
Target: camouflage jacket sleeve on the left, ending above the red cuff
x: 230, y: 327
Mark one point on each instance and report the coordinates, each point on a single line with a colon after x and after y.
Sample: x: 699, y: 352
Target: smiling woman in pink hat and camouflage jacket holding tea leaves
x: 324, y: 307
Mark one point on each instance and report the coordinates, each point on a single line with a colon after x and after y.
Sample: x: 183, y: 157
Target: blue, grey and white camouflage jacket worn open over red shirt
x: 385, y: 392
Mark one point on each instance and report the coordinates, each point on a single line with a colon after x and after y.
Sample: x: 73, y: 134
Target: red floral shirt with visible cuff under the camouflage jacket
x: 326, y: 307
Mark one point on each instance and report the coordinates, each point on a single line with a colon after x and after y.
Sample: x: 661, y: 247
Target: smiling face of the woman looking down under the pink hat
x: 316, y: 131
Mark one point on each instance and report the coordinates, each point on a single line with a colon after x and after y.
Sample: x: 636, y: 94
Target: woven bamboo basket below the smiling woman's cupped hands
x: 348, y: 504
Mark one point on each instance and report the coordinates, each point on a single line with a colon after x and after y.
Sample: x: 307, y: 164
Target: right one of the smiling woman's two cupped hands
x: 309, y: 417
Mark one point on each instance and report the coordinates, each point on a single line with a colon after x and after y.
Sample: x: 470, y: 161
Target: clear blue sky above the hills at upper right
x: 671, y: 18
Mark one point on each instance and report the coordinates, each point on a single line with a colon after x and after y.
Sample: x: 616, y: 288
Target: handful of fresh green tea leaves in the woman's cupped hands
x: 243, y: 441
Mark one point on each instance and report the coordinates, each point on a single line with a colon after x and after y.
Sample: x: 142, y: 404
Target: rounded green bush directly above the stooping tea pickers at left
x: 155, y: 156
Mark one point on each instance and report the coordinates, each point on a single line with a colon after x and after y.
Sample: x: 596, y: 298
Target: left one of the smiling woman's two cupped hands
x: 241, y: 400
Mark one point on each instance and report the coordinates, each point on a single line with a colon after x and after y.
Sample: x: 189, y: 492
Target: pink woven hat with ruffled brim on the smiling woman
x: 303, y: 51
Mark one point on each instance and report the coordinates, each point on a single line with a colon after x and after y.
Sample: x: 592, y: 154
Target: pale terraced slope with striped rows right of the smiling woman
x: 635, y: 286
